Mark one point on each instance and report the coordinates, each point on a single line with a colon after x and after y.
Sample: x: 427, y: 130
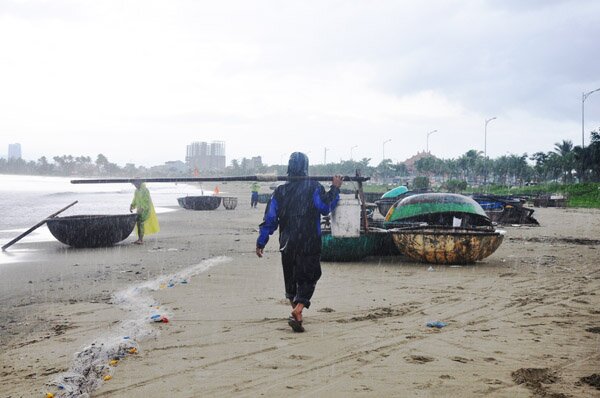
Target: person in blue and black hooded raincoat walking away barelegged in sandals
x: 296, y: 208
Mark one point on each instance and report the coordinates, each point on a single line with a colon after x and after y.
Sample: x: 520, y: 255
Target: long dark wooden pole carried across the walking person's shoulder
x: 215, y: 179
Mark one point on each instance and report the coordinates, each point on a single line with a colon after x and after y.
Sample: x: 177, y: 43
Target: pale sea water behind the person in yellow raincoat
x: 27, y: 200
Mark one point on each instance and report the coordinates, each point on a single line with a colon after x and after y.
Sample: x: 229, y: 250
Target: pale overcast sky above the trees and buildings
x: 139, y: 80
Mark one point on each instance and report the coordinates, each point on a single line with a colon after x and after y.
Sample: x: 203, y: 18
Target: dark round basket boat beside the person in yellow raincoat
x: 92, y: 230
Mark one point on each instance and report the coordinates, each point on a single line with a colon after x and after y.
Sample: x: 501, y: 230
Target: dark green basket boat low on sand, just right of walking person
x: 347, y: 249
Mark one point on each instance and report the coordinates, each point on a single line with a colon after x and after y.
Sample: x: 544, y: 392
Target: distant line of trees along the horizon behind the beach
x: 566, y: 163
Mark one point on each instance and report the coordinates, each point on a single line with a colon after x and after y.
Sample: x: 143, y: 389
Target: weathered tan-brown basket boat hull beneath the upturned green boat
x: 447, y: 245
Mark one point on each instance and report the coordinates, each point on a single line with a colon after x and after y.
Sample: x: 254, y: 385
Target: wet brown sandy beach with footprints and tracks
x: 523, y: 322
